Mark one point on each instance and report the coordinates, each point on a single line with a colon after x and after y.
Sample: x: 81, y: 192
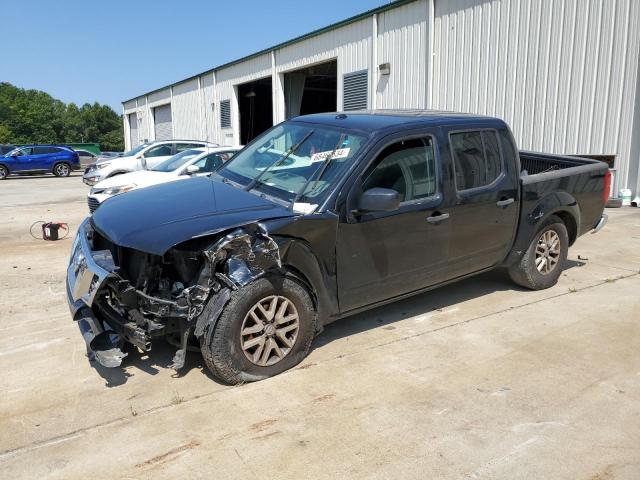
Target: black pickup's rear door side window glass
x: 476, y: 158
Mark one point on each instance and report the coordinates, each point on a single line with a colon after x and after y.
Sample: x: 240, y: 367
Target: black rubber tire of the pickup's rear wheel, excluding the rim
x: 526, y: 274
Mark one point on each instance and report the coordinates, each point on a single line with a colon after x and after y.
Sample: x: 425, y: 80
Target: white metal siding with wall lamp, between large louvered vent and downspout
x: 402, y: 41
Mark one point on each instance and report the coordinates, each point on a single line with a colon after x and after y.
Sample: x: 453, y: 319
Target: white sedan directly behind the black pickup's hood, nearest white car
x: 195, y: 161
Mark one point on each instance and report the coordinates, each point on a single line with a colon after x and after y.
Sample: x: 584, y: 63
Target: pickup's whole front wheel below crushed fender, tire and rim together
x: 266, y: 328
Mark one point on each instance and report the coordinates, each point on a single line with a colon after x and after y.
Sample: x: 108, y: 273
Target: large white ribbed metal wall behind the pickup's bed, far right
x: 561, y: 72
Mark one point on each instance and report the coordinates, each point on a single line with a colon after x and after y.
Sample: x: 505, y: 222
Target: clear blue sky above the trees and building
x: 107, y: 51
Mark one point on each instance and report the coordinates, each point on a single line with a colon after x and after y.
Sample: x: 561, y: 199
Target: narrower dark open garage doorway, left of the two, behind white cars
x: 256, y: 108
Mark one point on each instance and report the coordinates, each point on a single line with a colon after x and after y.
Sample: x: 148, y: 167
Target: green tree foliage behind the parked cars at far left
x: 33, y: 116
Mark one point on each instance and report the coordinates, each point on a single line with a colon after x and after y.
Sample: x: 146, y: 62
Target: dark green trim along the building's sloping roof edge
x: 320, y: 31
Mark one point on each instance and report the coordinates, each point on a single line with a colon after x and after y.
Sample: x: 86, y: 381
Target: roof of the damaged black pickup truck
x: 396, y: 119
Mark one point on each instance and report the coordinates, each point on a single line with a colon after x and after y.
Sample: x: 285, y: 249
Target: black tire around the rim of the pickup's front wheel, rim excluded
x: 221, y: 345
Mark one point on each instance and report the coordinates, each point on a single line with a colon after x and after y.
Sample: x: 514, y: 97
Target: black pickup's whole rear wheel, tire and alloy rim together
x: 542, y: 263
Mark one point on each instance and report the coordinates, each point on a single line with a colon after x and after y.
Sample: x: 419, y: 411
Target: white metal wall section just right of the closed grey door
x: 185, y: 104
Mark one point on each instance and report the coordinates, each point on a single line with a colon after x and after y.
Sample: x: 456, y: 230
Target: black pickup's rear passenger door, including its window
x: 485, y: 215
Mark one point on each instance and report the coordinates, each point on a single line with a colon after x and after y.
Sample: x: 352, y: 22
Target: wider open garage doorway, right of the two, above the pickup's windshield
x: 312, y: 89
